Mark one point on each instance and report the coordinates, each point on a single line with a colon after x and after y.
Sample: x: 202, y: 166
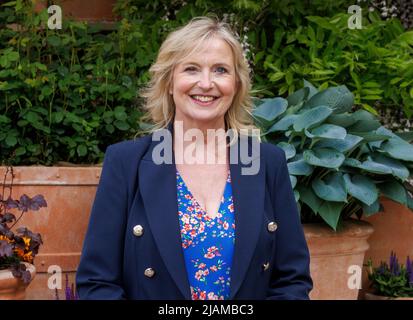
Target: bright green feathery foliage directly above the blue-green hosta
x: 375, y: 62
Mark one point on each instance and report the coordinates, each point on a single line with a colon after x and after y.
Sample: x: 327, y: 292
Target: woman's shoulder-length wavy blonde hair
x: 181, y: 43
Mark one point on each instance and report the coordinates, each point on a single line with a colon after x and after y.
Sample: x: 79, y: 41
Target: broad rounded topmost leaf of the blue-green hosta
x: 339, y: 99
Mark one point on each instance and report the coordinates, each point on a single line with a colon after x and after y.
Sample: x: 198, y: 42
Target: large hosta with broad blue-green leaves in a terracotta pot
x: 340, y: 160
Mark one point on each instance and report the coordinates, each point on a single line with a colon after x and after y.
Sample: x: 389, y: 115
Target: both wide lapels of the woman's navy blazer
x: 160, y: 201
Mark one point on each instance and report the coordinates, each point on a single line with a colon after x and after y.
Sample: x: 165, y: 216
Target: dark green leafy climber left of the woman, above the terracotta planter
x: 66, y: 94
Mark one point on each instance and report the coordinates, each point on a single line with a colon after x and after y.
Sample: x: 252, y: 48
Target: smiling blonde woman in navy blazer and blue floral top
x: 190, y: 228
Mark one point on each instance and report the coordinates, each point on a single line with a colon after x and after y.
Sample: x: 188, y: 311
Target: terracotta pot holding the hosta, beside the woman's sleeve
x: 332, y: 253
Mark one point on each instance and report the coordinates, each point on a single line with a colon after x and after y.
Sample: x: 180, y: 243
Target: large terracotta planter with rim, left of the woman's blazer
x: 69, y: 193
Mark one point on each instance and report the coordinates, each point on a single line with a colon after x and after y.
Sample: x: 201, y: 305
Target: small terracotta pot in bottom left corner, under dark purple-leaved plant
x: 12, y: 288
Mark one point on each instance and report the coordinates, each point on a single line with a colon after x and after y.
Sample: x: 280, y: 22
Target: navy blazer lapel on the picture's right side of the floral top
x: 248, y: 196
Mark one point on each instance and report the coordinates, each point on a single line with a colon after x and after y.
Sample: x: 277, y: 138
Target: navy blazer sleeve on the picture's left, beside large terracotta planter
x: 99, y: 275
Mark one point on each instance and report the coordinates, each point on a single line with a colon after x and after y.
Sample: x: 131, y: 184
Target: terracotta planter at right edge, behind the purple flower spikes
x: 393, y: 231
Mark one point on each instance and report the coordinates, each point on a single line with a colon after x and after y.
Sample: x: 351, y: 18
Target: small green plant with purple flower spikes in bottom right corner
x: 393, y: 279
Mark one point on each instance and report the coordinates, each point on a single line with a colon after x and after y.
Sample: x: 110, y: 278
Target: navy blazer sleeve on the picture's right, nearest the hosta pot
x: 290, y: 279
